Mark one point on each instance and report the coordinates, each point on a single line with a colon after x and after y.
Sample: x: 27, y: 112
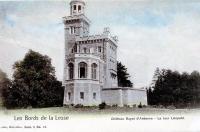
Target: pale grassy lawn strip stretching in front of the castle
x: 96, y: 111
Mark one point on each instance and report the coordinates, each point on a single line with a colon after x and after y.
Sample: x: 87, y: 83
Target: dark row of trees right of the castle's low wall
x: 173, y: 88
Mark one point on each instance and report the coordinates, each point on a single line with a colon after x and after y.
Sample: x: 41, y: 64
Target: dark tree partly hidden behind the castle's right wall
x: 123, y: 76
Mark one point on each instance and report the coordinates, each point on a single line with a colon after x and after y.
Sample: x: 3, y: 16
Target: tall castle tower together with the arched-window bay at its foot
x: 82, y: 66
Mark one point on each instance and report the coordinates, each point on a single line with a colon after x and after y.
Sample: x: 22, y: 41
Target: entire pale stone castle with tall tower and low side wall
x: 90, y: 74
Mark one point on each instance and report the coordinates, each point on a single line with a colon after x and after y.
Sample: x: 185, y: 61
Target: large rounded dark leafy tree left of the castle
x: 34, y: 83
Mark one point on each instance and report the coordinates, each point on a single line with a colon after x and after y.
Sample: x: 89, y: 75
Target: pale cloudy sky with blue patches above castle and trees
x: 151, y: 33
